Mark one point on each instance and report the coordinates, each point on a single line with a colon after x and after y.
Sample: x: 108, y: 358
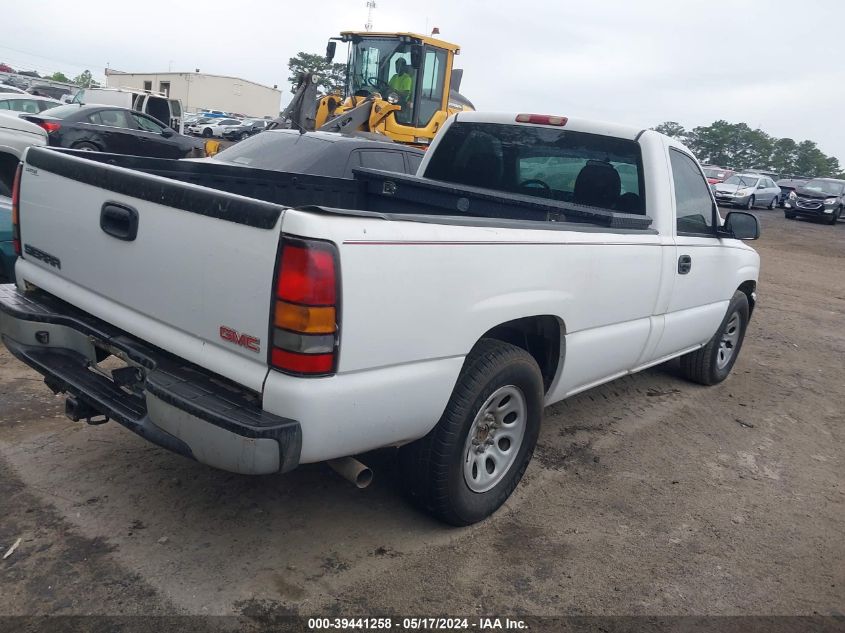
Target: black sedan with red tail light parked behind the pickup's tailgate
x: 115, y: 130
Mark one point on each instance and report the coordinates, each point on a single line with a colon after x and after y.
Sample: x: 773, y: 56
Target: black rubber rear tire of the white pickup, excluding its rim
x: 433, y: 467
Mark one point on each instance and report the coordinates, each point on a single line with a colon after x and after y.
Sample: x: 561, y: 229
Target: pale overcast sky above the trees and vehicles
x: 770, y: 63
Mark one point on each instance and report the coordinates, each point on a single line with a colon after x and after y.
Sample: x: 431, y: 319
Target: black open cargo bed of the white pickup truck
x: 388, y: 194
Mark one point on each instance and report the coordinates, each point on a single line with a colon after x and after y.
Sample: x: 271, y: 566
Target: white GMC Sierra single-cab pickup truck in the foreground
x: 259, y: 320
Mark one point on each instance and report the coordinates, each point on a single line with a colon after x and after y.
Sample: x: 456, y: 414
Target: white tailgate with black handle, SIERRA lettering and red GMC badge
x: 194, y: 277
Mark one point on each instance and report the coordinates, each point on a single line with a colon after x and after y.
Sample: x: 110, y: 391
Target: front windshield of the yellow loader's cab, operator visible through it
x: 383, y: 65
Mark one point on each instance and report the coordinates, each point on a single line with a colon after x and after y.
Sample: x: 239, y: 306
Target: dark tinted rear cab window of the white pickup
x: 558, y: 164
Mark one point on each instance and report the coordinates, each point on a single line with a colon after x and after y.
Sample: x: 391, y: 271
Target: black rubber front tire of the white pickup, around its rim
x: 705, y: 365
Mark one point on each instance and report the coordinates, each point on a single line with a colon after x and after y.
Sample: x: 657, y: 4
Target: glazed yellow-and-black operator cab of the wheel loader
x: 411, y: 71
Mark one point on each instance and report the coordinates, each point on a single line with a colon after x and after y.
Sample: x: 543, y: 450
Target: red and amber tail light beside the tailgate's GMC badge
x: 304, y: 327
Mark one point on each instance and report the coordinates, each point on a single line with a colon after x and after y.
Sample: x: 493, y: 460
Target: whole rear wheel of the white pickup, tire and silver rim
x: 471, y: 461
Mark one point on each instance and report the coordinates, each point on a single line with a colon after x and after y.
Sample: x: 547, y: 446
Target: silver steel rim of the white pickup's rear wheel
x: 494, y: 439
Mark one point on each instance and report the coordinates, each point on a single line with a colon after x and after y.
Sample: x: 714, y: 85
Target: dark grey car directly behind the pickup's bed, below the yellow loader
x: 320, y: 153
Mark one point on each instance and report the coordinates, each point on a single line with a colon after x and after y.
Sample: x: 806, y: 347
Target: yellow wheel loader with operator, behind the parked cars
x: 399, y: 85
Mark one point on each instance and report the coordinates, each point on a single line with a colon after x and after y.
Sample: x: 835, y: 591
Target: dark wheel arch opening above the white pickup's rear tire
x: 543, y: 336
